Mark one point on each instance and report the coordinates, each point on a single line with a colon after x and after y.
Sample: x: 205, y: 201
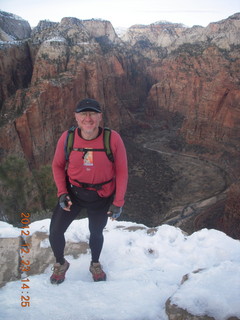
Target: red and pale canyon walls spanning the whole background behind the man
x: 160, y: 70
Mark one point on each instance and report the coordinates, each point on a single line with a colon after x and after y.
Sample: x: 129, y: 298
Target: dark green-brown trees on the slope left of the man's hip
x: 23, y: 191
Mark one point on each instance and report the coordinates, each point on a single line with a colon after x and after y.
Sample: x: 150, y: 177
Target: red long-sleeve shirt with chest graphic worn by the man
x: 94, y: 168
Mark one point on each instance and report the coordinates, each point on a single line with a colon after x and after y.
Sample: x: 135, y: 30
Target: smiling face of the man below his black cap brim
x: 88, y: 121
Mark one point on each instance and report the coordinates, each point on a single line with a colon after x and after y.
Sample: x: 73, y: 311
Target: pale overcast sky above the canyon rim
x: 124, y: 13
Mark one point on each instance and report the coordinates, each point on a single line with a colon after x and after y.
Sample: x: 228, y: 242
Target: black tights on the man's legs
x: 97, y: 208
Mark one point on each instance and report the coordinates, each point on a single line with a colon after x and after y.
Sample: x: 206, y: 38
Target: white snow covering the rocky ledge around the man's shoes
x: 143, y: 271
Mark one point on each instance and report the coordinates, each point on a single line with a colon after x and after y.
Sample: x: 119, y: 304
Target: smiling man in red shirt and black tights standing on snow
x: 90, y: 181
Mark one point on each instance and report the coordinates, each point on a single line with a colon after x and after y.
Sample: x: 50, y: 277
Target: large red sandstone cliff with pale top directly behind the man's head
x: 68, y: 66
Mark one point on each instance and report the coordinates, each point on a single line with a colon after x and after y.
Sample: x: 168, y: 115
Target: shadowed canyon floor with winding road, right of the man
x: 168, y: 184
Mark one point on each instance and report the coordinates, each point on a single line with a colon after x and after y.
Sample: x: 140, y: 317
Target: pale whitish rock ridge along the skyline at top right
x: 223, y: 34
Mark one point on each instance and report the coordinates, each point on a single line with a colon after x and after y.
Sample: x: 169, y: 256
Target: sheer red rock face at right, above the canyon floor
x: 198, y: 85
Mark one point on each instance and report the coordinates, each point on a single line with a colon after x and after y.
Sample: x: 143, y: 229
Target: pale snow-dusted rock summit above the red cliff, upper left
x: 60, y: 49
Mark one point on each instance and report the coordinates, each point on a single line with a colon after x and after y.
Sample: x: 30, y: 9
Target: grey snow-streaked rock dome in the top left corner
x: 13, y: 27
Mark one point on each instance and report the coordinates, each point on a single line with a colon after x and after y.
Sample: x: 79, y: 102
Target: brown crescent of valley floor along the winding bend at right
x: 200, y: 184
